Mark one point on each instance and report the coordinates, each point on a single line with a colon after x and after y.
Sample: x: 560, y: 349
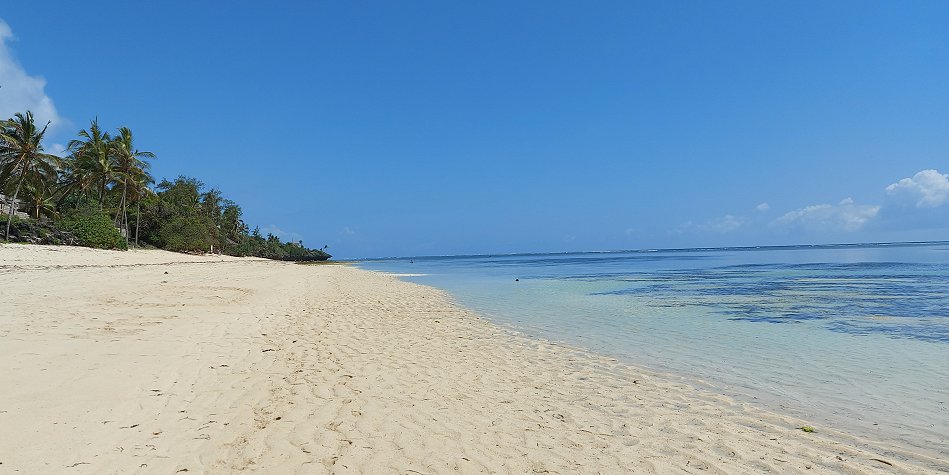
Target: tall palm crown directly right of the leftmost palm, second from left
x: 90, y: 161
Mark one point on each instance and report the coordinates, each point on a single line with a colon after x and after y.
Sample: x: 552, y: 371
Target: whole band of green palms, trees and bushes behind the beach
x: 101, y: 195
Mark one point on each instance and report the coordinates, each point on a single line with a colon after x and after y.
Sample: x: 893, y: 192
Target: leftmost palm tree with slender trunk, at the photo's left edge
x: 22, y: 157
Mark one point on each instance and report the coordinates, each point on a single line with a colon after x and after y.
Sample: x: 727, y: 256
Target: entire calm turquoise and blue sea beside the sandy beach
x: 851, y: 337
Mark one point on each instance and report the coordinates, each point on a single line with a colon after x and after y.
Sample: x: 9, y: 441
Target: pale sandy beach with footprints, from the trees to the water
x: 263, y: 365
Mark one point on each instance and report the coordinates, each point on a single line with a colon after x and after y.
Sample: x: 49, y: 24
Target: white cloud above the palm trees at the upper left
x: 20, y: 91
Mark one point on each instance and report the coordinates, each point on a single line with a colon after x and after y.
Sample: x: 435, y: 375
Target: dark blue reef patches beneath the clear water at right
x: 900, y: 300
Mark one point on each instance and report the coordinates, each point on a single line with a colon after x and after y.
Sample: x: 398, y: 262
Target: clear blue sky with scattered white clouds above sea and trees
x: 385, y: 128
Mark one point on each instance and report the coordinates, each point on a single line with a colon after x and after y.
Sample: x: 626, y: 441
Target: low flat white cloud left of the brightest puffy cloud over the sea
x: 845, y: 216
